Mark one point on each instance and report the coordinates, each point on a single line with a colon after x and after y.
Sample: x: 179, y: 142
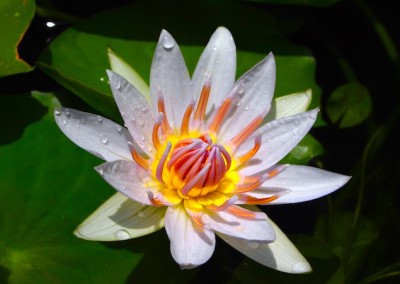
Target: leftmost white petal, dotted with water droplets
x: 97, y: 135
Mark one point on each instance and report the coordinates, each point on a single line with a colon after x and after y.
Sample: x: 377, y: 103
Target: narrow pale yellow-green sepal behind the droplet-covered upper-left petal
x: 120, y: 66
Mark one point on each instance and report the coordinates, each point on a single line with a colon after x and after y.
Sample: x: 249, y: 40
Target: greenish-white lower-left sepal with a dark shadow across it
x: 121, y: 218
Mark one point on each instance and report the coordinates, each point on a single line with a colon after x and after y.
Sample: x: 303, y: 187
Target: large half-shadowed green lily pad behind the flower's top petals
x: 78, y: 58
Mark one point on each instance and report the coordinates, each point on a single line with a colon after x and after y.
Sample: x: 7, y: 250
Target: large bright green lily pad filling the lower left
x: 48, y: 186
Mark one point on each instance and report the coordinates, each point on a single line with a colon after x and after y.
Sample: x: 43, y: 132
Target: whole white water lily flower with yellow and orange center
x: 197, y: 154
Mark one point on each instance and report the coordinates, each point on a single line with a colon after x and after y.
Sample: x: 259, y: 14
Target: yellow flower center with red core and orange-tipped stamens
x: 190, y: 166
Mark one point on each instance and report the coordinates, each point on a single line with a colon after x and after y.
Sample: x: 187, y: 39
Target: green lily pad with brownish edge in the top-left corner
x: 15, y: 18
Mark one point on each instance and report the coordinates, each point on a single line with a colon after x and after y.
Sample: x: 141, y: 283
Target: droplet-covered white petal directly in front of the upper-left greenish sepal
x: 134, y: 110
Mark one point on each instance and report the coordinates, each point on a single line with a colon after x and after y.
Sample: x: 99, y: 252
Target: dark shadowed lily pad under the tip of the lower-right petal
x: 326, y: 266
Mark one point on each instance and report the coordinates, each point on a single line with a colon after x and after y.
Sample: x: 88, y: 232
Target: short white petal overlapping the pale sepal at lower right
x: 250, y: 230
